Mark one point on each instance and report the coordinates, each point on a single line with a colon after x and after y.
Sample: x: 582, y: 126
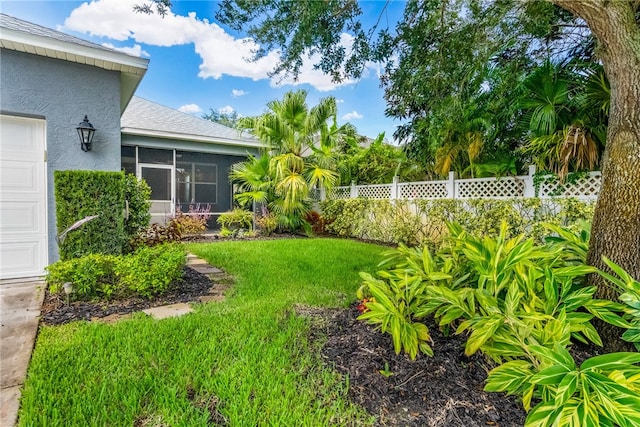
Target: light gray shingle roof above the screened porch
x: 143, y: 115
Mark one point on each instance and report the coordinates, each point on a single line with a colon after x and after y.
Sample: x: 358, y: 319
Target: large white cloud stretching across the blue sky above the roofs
x: 220, y: 52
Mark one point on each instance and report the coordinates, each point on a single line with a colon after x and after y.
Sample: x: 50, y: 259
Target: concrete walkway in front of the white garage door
x: 20, y: 304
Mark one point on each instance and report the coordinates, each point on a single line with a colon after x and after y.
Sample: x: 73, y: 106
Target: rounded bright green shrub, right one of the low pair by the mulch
x: 150, y: 270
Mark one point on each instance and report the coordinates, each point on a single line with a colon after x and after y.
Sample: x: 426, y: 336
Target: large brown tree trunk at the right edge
x: 615, y: 229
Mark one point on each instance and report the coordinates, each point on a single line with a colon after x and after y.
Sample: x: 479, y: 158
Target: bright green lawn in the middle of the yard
x: 248, y: 357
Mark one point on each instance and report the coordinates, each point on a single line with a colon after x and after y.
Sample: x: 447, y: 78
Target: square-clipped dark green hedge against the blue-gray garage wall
x: 80, y: 194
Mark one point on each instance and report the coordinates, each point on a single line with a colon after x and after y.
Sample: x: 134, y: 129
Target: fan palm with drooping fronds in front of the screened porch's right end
x: 299, y: 145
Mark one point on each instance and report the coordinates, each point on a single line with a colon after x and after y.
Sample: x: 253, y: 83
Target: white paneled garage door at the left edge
x: 23, y: 198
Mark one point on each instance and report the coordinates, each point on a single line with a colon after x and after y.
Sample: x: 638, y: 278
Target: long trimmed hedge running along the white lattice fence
x: 423, y: 222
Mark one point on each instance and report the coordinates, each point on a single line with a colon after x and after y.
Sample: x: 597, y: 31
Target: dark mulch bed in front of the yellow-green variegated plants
x: 444, y: 390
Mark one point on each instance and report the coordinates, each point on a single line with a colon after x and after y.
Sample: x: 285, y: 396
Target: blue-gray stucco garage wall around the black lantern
x: 62, y: 93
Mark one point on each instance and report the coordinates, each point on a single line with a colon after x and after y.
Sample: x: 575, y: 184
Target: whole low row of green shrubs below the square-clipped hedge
x: 146, y: 272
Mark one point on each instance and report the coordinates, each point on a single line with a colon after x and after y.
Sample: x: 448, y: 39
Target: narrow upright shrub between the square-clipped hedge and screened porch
x: 137, y: 195
